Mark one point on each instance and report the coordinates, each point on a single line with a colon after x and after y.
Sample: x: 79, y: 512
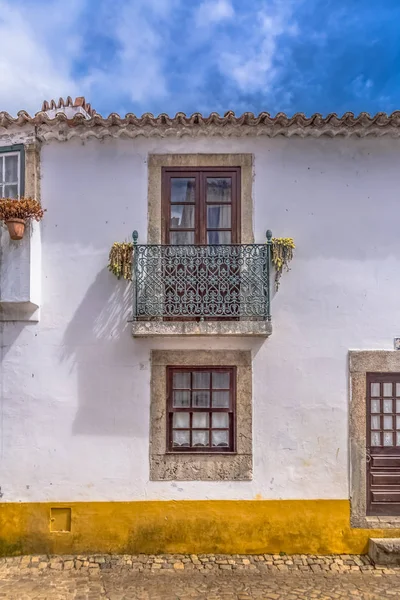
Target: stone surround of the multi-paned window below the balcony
x: 175, y: 466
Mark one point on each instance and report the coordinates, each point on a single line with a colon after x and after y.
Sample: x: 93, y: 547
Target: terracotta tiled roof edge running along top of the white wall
x: 163, y: 125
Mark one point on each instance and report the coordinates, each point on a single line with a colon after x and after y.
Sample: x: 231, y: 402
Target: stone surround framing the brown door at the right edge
x: 362, y: 362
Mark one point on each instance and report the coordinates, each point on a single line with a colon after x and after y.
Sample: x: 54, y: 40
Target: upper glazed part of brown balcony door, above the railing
x: 201, y: 206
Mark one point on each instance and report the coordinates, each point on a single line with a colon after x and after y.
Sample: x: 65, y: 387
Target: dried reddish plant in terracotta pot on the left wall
x: 15, y: 213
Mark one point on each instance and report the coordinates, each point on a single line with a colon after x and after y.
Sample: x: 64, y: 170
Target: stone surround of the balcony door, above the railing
x: 157, y: 161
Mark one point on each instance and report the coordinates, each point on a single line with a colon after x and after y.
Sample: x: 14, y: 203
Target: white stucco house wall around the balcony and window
x: 75, y: 386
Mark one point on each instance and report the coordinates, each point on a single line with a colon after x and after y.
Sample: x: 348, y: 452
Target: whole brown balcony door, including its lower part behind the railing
x: 201, y: 207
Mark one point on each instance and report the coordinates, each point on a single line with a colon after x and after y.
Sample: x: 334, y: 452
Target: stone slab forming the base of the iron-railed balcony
x: 144, y: 329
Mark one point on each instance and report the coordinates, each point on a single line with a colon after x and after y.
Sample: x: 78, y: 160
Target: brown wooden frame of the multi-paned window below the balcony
x: 231, y: 411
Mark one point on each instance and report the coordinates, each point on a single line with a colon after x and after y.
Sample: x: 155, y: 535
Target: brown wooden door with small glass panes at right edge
x: 383, y: 444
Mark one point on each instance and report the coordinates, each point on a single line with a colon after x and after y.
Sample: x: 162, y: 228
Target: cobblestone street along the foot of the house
x: 203, y: 577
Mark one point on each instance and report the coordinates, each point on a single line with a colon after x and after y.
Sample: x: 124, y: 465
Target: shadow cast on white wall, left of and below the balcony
x: 98, y: 346
